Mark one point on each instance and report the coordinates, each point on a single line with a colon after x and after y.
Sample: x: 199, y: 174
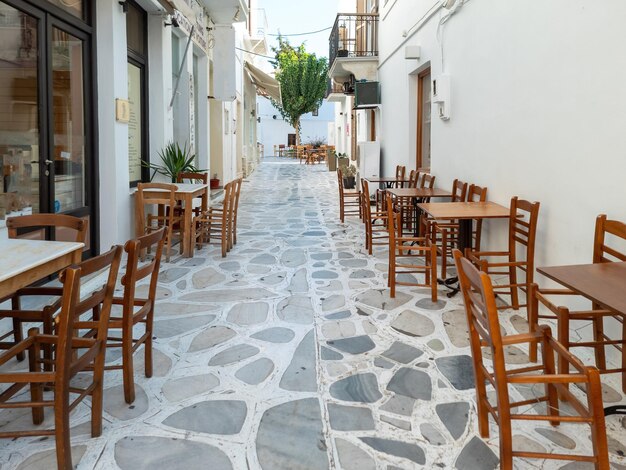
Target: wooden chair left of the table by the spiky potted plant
x: 165, y: 201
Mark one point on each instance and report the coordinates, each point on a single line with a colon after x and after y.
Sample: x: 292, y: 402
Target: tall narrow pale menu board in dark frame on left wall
x: 134, y: 123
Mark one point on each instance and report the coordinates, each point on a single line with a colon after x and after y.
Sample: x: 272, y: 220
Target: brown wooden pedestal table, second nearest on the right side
x: 465, y: 213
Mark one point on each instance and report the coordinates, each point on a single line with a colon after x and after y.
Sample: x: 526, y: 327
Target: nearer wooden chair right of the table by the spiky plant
x: 216, y: 223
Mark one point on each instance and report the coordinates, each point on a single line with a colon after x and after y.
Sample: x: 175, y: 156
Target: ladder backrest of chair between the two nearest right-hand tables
x: 523, y: 229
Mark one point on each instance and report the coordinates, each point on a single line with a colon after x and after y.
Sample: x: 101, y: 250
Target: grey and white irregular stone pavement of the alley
x: 289, y: 354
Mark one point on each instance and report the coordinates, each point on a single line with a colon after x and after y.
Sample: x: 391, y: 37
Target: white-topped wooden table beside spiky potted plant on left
x: 186, y: 192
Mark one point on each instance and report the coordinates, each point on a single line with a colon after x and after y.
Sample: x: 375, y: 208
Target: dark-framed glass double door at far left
x: 46, y: 141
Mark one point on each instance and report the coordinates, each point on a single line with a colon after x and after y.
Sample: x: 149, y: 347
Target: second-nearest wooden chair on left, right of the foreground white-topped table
x: 136, y: 310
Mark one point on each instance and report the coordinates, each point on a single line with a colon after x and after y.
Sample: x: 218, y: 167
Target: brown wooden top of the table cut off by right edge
x: 600, y: 282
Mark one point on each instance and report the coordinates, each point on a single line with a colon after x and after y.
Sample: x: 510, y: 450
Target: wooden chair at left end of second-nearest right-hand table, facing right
x: 409, y: 256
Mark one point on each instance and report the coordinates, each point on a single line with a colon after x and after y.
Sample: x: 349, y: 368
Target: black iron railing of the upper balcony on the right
x: 354, y: 35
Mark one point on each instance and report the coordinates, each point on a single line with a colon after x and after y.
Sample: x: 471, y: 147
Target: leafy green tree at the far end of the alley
x: 302, y: 77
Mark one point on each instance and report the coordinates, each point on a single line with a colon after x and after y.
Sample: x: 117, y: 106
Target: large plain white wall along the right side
x: 537, y: 108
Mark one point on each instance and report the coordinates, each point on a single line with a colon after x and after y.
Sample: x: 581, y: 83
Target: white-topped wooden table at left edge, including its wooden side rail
x: 28, y: 261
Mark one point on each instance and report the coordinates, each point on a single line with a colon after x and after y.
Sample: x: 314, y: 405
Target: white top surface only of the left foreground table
x: 20, y: 255
